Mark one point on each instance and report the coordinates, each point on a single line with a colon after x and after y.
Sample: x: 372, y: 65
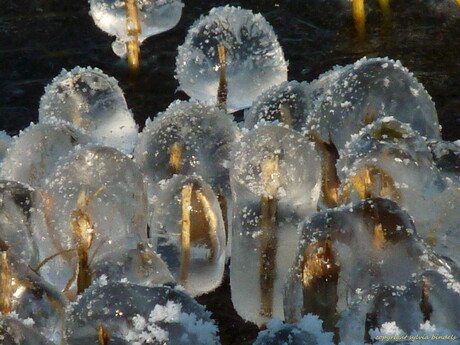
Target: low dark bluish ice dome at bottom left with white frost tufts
x: 139, y: 315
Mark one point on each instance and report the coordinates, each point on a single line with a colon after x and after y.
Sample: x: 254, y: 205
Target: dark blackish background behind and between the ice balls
x: 40, y: 37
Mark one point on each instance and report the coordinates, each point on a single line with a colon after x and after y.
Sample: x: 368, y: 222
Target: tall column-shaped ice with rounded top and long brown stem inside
x: 276, y: 177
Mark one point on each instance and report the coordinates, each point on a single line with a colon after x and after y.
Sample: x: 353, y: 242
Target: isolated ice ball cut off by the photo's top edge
x: 155, y: 17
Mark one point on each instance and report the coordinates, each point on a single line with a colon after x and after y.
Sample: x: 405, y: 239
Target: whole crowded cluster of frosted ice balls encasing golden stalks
x: 209, y: 190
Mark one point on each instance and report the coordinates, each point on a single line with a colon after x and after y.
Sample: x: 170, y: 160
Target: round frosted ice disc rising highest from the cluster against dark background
x: 254, y: 58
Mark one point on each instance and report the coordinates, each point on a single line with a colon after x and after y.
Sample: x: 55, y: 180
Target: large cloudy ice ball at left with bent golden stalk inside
x: 94, y: 203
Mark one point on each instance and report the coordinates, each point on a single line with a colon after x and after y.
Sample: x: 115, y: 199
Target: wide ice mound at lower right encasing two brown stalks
x: 346, y: 252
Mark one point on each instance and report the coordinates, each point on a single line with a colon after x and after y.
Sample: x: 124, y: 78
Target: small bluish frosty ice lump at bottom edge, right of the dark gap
x: 307, y: 331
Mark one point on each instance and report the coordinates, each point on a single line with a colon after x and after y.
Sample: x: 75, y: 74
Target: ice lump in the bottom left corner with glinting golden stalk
x: 28, y: 297
